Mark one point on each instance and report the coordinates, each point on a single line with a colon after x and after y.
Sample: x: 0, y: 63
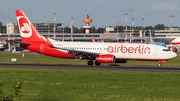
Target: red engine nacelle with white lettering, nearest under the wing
x: 106, y: 59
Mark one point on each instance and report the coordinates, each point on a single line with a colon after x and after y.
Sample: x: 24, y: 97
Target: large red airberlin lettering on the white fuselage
x: 123, y: 49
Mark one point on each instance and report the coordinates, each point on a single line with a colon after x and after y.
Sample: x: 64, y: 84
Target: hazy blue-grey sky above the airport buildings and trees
x: 103, y: 13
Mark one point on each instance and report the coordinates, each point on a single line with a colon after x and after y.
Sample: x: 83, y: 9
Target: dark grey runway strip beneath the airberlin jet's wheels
x: 86, y: 67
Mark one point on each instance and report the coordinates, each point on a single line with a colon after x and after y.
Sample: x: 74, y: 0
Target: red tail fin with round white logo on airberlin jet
x: 27, y: 31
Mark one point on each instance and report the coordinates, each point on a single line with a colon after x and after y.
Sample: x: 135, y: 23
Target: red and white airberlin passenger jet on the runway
x: 100, y: 52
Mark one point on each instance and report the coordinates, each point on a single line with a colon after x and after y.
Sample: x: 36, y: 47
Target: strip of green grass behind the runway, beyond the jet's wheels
x: 42, y: 59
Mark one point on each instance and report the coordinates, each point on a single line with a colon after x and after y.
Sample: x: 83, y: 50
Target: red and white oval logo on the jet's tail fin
x: 25, y: 28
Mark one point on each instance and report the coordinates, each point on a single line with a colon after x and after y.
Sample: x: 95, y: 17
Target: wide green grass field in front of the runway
x: 81, y: 85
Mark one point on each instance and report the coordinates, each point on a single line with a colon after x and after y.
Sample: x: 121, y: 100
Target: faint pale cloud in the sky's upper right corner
x: 164, y: 6
